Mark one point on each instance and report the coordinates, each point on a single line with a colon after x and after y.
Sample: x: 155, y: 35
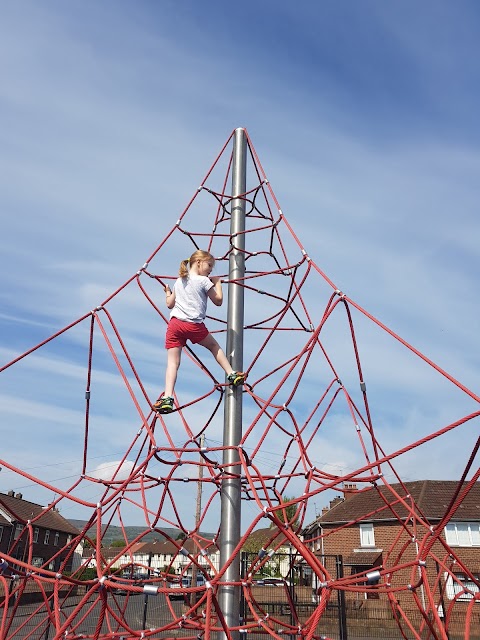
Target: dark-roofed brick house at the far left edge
x: 37, y: 535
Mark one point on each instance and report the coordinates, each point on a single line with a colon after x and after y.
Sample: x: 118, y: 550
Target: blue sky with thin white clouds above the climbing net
x: 364, y: 116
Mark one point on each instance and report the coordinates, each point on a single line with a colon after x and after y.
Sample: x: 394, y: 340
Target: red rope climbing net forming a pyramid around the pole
x: 311, y: 432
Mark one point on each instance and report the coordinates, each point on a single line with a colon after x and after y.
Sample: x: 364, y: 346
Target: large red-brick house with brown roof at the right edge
x: 394, y: 526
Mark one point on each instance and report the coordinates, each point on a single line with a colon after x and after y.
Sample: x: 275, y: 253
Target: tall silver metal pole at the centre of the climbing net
x: 229, y: 595
